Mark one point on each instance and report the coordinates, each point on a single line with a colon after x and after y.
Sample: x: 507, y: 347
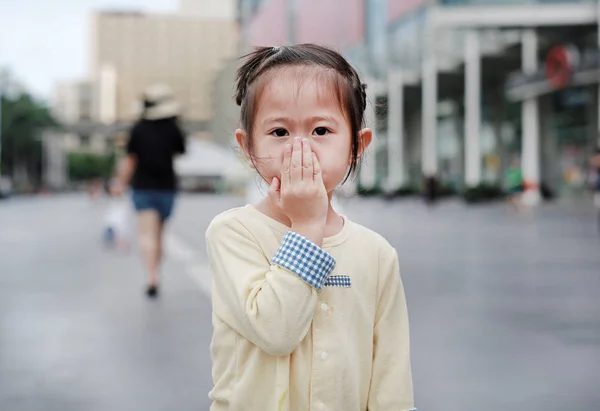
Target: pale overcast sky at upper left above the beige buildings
x: 45, y: 41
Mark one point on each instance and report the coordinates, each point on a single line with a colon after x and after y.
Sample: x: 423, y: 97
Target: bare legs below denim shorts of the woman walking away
x: 150, y: 228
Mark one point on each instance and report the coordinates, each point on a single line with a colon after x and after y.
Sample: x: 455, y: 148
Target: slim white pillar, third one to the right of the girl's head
x: 429, y: 111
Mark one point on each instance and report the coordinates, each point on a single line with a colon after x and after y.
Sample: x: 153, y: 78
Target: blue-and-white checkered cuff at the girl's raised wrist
x: 305, y: 259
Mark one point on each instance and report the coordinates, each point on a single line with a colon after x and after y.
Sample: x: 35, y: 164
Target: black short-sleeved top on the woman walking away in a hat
x: 154, y: 143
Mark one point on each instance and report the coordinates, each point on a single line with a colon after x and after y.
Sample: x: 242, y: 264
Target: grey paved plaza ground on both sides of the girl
x: 504, y: 307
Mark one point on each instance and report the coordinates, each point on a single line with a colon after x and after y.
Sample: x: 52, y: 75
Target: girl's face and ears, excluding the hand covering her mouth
x: 308, y: 108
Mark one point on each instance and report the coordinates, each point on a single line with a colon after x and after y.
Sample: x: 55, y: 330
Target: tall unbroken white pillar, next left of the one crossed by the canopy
x: 472, y: 109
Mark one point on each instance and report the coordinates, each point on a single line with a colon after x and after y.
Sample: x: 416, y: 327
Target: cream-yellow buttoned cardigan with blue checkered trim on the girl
x: 298, y: 327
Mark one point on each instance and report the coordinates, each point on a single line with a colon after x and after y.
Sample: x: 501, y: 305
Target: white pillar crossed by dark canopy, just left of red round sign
x: 530, y: 154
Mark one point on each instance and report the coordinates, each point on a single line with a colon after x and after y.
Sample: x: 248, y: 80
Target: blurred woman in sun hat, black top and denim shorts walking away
x: 148, y: 166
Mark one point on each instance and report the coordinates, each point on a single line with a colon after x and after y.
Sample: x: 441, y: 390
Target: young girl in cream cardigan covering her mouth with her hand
x: 308, y: 307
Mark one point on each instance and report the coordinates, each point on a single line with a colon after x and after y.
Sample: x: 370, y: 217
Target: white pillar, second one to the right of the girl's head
x: 395, y: 140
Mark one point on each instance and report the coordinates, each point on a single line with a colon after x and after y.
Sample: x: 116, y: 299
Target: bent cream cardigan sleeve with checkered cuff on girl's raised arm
x: 270, y: 302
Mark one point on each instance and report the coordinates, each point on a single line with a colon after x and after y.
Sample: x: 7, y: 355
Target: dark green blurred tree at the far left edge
x: 23, y: 120
